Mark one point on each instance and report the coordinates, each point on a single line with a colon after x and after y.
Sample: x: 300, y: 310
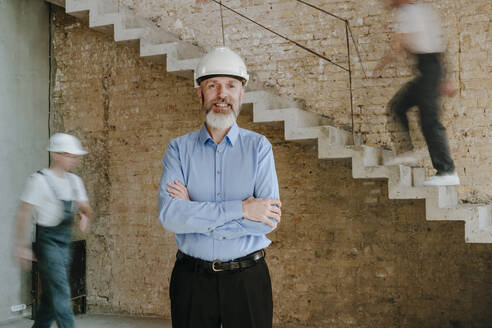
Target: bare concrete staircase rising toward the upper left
x: 181, y: 58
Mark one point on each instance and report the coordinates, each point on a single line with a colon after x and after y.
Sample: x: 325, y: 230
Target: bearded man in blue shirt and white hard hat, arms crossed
x: 219, y: 196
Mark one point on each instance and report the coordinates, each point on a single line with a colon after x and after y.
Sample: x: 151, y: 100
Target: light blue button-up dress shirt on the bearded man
x: 218, y: 177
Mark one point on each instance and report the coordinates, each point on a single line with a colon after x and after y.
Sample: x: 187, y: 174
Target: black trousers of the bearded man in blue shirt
x: 233, y: 299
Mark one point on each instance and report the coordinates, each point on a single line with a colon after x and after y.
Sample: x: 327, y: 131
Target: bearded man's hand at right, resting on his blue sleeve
x: 262, y: 209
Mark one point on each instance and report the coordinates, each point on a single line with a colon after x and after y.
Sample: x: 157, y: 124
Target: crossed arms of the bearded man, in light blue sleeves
x: 220, y: 220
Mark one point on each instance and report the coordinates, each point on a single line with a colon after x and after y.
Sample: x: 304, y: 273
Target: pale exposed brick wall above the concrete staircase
x: 296, y: 73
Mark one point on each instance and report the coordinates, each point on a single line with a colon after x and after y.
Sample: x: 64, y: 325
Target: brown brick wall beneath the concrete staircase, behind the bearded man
x: 343, y: 256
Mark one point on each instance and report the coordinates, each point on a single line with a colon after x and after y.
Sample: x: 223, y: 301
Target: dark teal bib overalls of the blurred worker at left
x: 53, y: 255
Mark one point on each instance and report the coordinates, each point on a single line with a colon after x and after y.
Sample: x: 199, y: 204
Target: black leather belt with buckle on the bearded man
x: 218, y: 266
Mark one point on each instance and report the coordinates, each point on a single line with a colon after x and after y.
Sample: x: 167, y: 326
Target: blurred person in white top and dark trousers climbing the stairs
x: 419, y: 33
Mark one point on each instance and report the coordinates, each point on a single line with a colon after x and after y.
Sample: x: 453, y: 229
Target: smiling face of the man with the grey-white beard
x: 221, y: 98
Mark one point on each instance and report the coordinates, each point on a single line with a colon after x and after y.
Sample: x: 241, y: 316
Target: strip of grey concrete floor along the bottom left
x: 102, y: 321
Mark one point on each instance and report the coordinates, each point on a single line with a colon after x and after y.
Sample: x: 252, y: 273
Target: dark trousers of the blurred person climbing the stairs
x: 423, y: 93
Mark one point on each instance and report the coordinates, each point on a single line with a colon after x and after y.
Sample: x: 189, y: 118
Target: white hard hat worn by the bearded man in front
x: 219, y: 62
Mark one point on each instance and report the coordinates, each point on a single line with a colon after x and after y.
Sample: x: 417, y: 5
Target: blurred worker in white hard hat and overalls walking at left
x: 53, y: 196
